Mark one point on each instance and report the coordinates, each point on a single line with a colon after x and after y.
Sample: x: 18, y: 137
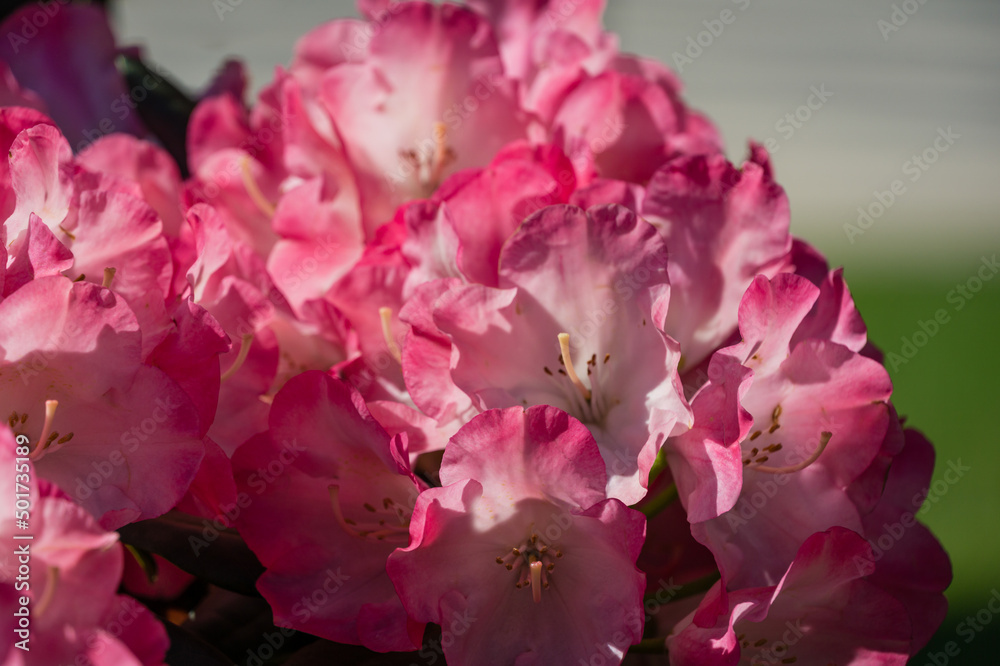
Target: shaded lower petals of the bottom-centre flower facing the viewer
x: 449, y: 575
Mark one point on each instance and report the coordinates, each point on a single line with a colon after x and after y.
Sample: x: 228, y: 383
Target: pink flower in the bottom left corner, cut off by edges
x: 65, y: 576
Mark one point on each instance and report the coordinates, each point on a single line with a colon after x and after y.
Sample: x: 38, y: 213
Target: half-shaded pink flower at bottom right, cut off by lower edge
x: 822, y: 610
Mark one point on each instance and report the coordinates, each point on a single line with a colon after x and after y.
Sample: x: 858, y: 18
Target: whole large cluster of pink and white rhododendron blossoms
x: 464, y: 339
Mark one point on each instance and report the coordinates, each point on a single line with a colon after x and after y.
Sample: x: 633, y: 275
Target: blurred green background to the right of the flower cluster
x: 949, y: 391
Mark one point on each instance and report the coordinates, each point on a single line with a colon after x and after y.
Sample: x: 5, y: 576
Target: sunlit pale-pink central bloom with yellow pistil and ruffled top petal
x: 575, y: 324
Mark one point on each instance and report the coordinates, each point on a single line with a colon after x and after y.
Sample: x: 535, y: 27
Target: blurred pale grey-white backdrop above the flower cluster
x: 890, y: 88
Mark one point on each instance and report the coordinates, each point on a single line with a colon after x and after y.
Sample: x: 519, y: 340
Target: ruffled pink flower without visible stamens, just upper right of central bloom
x: 724, y: 227
